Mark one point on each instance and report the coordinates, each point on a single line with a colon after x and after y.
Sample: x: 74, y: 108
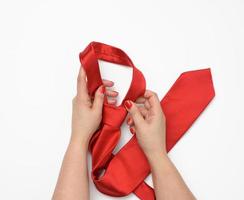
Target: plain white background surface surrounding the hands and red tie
x: 39, y: 46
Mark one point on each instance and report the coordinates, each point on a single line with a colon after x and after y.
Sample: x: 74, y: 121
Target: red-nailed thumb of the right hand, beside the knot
x: 134, y: 111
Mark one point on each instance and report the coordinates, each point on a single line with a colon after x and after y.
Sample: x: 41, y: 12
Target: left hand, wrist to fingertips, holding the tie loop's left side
x: 87, y: 110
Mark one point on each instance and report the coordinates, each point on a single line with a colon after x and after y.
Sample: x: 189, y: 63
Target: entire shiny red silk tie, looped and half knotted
x: 120, y: 174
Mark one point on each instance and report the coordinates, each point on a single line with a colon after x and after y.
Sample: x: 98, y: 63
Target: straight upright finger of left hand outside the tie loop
x: 82, y: 92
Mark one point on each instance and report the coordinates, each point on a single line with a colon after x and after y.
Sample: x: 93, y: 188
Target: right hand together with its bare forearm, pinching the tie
x: 148, y: 122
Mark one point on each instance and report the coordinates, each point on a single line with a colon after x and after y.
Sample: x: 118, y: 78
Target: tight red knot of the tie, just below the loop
x: 114, y: 116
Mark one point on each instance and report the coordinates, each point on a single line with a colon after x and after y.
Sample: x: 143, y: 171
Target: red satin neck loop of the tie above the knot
x: 98, y: 51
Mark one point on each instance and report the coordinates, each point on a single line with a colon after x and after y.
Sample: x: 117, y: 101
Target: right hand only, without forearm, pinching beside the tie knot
x: 147, y: 120
